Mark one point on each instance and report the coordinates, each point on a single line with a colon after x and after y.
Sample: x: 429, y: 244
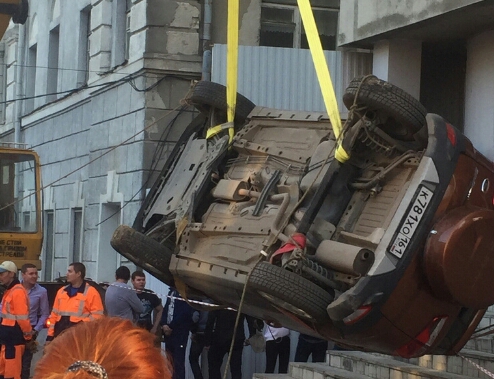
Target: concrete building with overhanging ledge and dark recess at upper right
x: 440, y: 51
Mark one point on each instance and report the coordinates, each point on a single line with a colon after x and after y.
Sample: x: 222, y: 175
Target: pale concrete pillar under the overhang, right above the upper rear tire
x: 399, y: 62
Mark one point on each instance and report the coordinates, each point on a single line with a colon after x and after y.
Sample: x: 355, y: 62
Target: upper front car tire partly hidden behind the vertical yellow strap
x: 207, y: 95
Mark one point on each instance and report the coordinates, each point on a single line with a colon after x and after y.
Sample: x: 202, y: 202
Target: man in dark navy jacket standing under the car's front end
x: 176, y: 322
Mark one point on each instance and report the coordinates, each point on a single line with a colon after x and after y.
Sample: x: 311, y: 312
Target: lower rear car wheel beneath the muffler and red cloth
x: 290, y: 291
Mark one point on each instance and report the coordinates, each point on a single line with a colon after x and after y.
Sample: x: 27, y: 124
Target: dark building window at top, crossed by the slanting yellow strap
x: 281, y: 26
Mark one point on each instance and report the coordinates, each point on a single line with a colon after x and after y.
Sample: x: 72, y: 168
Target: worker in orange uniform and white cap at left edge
x: 15, y: 328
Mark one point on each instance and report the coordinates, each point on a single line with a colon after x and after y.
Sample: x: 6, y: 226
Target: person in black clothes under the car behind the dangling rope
x: 219, y: 334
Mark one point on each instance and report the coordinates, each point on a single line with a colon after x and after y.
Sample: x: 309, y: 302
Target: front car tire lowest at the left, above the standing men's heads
x: 144, y: 252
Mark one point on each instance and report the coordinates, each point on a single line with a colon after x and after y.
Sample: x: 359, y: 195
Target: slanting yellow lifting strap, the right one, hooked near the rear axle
x: 323, y: 76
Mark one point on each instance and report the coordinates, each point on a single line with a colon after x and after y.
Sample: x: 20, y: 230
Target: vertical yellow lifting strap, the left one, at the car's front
x: 232, y: 63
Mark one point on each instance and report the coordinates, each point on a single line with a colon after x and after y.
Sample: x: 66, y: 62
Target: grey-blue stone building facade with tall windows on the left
x: 95, y: 87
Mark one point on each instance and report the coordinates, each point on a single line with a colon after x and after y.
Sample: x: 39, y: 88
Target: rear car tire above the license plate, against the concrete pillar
x: 406, y: 114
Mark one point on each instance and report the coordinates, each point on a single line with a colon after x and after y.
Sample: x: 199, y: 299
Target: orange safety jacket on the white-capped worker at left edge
x: 15, y: 309
